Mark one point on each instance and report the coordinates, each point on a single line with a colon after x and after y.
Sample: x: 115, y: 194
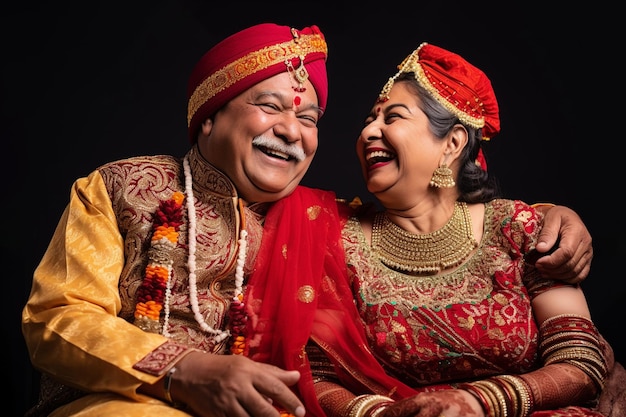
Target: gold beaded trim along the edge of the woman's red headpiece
x: 412, y: 64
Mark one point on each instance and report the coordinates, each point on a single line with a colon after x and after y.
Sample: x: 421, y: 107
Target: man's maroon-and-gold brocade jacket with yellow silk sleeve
x: 78, y: 320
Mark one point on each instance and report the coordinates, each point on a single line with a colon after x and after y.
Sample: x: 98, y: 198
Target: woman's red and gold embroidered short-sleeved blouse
x: 472, y: 322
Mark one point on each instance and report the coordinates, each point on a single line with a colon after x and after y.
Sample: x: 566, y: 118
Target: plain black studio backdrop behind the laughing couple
x: 86, y: 83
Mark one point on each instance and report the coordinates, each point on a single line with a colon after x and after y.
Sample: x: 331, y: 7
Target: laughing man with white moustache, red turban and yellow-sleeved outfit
x: 155, y: 271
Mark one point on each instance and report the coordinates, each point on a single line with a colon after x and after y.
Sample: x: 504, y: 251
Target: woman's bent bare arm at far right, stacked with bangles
x: 574, y: 366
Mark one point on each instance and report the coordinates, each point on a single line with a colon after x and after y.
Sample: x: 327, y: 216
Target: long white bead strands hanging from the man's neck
x: 219, y: 335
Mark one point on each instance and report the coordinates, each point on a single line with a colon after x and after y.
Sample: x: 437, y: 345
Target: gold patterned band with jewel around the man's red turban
x: 254, y: 62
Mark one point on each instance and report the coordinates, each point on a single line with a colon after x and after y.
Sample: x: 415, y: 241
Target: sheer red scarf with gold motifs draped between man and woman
x: 299, y: 289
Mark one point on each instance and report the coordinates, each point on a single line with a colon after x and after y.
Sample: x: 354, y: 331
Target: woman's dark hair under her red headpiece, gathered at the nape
x: 475, y: 184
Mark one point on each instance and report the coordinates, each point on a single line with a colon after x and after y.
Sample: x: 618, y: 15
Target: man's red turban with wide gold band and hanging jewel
x: 249, y: 57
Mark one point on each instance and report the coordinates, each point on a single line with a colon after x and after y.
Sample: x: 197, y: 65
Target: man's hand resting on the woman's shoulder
x: 570, y: 259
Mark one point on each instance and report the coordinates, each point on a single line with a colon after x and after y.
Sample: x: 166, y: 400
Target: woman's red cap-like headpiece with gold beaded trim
x: 459, y: 86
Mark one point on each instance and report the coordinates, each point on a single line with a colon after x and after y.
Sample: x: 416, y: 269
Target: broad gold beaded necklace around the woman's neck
x: 425, y: 254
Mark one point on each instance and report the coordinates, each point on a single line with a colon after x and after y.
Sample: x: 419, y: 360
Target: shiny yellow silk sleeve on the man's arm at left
x: 70, y: 321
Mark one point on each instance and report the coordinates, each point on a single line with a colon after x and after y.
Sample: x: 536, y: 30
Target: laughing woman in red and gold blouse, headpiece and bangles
x: 452, y: 304
